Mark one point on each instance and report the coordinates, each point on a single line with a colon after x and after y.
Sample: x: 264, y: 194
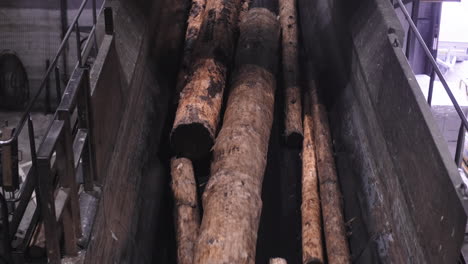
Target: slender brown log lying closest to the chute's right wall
x: 330, y: 194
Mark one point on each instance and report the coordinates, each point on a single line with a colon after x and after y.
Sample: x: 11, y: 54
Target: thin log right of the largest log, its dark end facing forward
x: 292, y: 106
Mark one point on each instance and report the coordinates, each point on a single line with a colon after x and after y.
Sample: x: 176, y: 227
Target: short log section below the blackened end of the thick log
x: 187, y: 218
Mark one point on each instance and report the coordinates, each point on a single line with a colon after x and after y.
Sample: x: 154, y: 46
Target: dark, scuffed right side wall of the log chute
x: 395, y: 170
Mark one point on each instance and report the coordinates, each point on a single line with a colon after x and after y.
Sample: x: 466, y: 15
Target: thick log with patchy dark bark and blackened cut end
x: 197, y: 115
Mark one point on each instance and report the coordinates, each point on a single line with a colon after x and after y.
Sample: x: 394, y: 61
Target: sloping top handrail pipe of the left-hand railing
x: 30, y: 105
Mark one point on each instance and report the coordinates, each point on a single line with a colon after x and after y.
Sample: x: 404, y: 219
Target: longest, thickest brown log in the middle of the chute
x: 232, y: 198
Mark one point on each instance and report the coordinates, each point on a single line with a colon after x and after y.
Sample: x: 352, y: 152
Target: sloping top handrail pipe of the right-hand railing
x: 434, y: 64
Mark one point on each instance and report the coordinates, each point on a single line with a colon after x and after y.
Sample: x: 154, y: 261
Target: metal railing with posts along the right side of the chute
x: 435, y: 67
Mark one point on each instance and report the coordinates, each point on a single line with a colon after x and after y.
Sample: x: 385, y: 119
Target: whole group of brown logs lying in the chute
x: 232, y: 205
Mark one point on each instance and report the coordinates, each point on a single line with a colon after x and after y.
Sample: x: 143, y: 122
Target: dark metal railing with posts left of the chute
x: 66, y: 146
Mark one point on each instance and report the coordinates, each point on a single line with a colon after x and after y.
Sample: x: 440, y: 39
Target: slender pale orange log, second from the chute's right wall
x: 312, y: 251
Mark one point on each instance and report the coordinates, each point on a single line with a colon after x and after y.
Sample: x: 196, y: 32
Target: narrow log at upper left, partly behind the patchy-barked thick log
x: 194, y: 23
